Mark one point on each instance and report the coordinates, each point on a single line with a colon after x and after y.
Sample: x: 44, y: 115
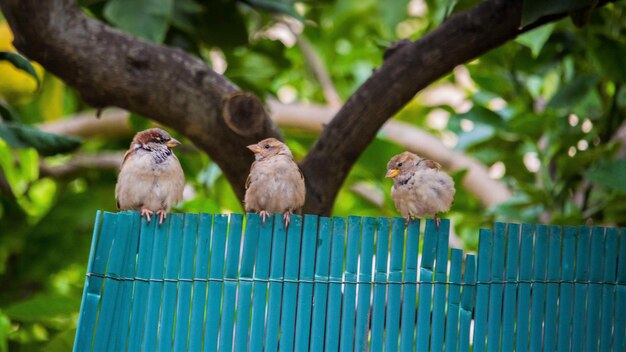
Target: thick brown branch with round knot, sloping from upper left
x: 109, y: 67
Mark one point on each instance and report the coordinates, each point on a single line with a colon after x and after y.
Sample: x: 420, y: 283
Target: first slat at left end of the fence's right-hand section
x: 482, y: 289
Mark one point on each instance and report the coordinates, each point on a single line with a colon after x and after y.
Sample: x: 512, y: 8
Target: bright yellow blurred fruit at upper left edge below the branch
x: 16, y: 86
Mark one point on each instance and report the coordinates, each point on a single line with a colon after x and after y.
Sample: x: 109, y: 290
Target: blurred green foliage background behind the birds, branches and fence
x: 539, y: 122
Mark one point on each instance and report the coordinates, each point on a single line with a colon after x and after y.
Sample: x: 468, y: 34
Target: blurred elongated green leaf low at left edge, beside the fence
x: 42, y: 308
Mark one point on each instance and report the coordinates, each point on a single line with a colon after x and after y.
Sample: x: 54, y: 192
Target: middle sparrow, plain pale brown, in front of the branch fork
x: 275, y: 183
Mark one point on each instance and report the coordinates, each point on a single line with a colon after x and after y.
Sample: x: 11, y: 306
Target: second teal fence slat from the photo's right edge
x: 608, y: 291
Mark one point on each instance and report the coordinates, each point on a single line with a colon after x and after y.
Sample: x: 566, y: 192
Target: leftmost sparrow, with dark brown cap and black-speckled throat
x: 150, y: 178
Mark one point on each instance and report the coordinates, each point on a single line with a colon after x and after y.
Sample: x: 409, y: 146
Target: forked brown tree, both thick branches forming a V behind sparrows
x: 176, y: 89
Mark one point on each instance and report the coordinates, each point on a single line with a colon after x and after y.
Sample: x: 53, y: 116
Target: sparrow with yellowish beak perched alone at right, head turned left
x: 419, y: 188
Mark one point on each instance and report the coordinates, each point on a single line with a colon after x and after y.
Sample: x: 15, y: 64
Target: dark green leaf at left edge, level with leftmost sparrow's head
x: 18, y: 135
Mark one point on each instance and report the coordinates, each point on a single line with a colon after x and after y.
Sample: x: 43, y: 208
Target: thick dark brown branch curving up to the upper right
x: 405, y: 72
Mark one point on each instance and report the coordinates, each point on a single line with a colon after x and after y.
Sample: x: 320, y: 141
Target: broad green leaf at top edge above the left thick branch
x: 148, y: 19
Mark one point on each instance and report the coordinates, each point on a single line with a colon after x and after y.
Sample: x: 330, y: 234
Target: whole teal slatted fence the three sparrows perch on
x: 204, y: 283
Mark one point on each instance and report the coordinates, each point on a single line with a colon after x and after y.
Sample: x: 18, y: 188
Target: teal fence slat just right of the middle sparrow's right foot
x: 292, y: 267
